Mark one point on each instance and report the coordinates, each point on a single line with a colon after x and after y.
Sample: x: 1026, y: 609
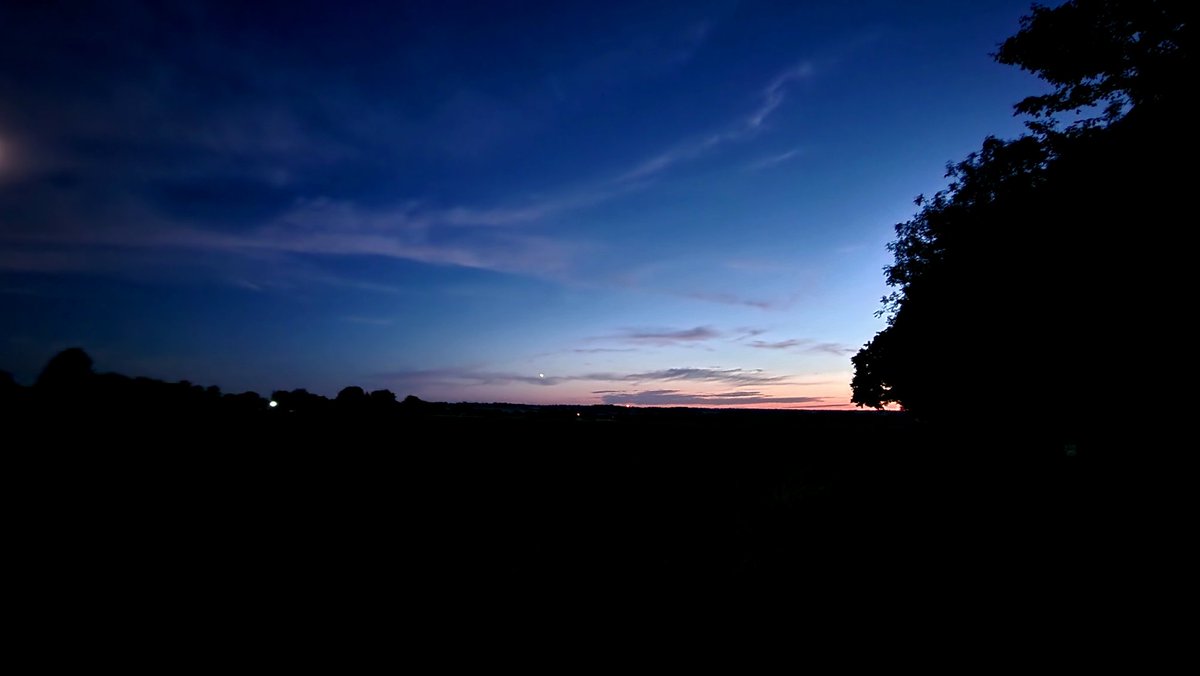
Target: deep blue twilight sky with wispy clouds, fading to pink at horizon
x: 649, y: 204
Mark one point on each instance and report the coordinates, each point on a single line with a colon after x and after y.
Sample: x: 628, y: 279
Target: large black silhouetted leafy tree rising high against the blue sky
x: 1033, y: 277
